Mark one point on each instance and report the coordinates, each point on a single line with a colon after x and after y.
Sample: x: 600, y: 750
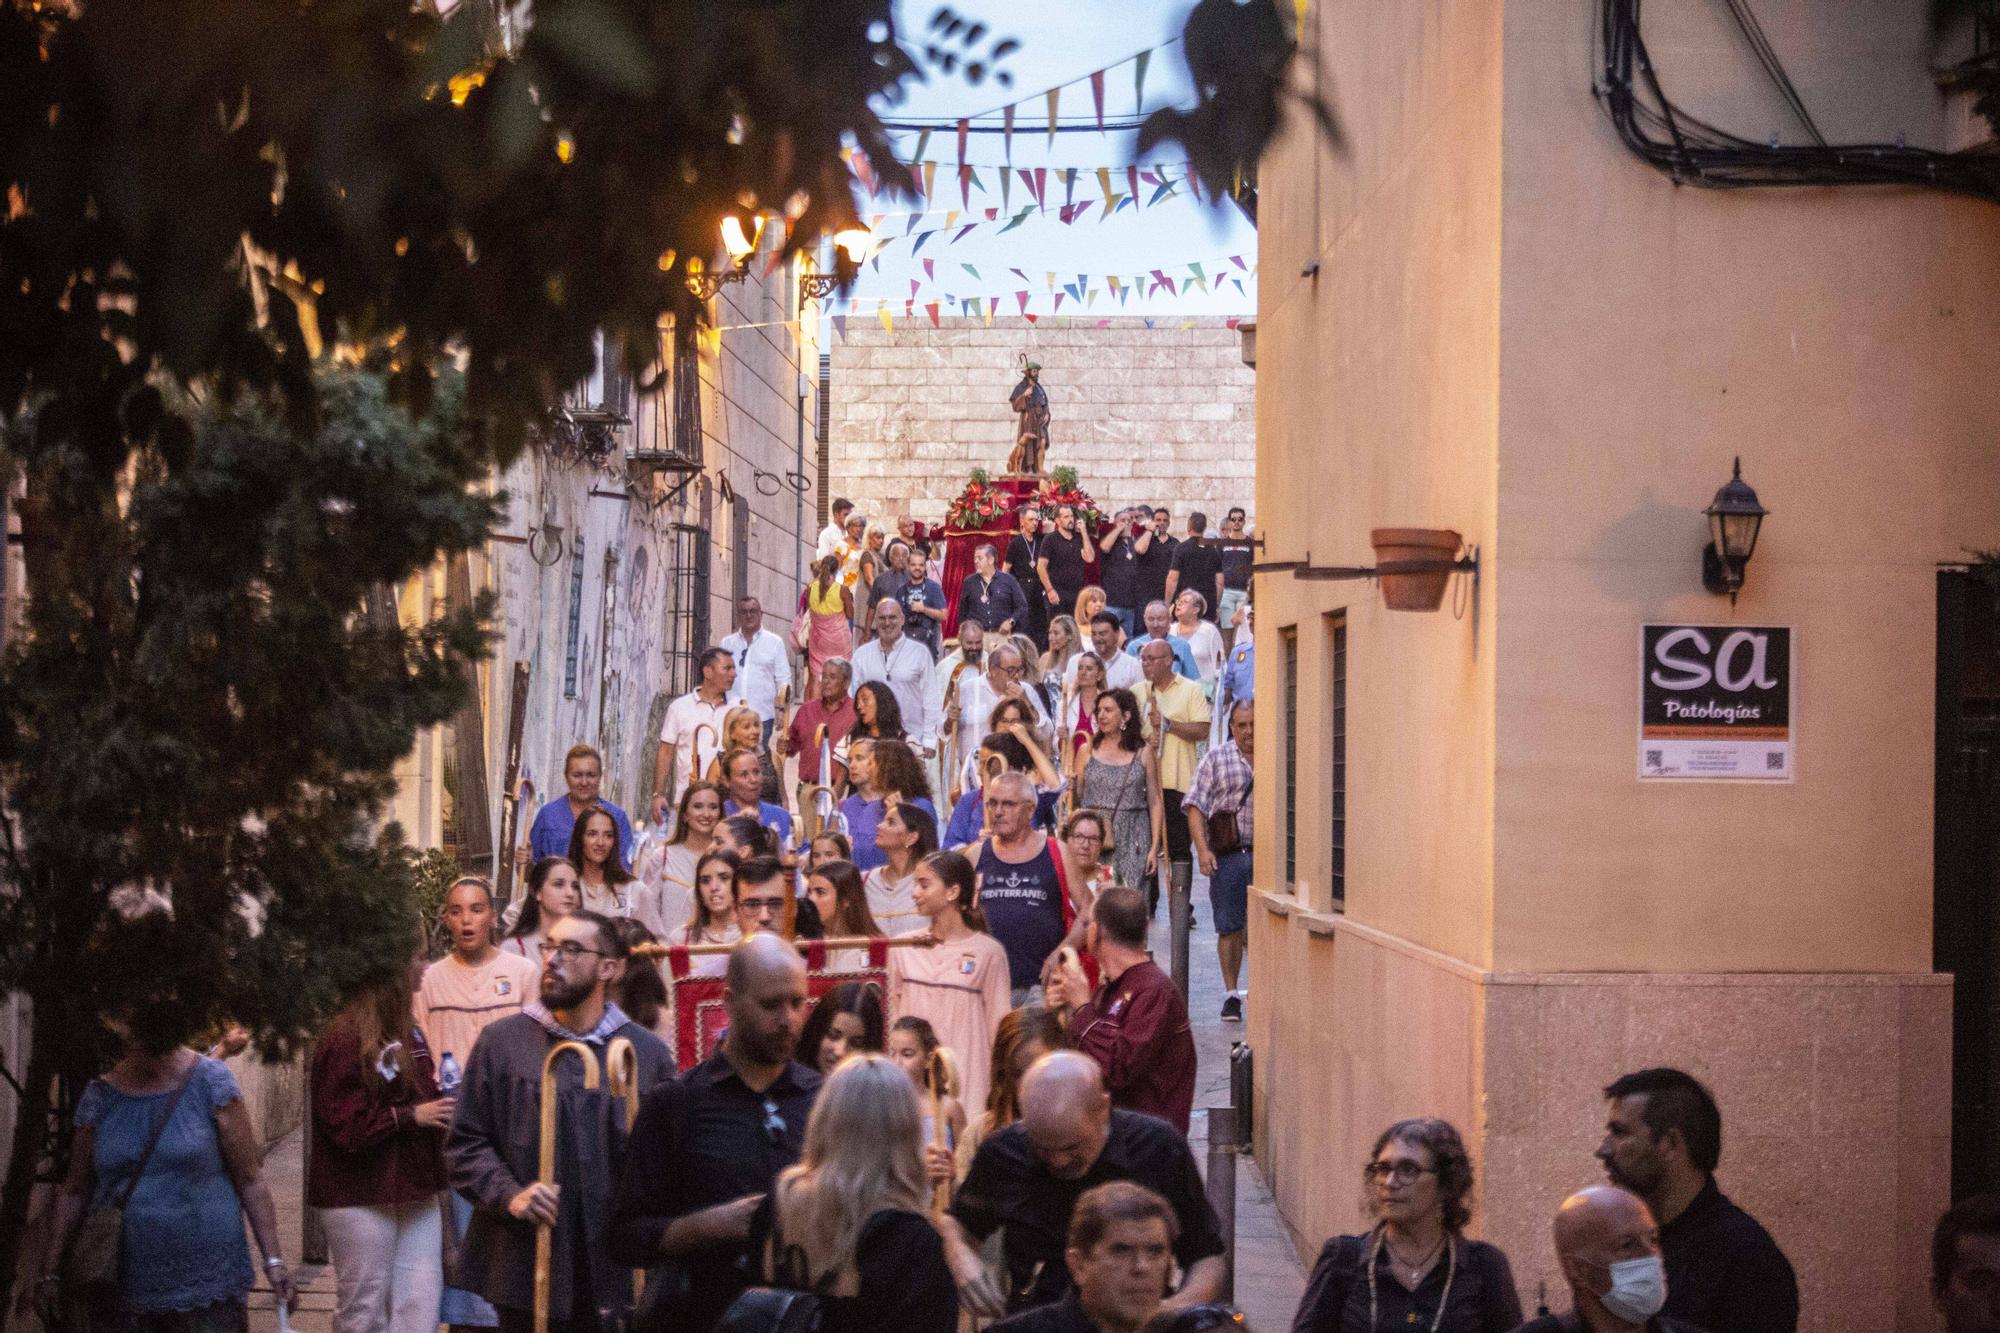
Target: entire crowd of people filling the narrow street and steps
x: 993, y: 1134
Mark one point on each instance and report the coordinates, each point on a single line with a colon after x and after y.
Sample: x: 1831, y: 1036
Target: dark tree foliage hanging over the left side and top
x: 213, y: 213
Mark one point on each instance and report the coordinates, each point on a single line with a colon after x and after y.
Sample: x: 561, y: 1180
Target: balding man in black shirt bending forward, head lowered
x: 1029, y: 1178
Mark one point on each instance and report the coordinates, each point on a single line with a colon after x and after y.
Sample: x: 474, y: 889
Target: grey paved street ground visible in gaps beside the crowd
x: 1269, y: 1274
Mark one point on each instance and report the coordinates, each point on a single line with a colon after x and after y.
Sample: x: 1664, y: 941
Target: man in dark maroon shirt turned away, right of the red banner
x: 1137, y: 1026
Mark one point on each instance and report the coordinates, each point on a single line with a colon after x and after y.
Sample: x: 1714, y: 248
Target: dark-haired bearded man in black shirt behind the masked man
x: 1723, y: 1272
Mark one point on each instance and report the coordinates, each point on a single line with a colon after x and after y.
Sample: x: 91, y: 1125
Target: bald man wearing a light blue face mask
x: 1609, y: 1250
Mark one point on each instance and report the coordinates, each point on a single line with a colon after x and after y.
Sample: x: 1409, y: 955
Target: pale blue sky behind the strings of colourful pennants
x: 1059, y: 43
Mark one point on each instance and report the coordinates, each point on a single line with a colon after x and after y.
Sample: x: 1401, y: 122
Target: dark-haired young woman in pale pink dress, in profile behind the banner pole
x: 961, y: 986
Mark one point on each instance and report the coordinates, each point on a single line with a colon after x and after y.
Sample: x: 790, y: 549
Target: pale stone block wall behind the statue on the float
x: 1161, y: 415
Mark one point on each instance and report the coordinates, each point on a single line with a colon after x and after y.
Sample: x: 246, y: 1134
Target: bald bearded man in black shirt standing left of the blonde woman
x: 709, y: 1146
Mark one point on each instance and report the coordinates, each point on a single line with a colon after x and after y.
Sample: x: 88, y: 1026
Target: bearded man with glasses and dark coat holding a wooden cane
x: 495, y: 1146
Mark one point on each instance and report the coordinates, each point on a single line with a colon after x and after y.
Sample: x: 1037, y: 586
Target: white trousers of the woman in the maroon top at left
x: 389, y: 1268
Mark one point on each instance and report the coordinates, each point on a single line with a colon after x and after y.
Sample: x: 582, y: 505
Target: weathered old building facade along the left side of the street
x: 617, y: 565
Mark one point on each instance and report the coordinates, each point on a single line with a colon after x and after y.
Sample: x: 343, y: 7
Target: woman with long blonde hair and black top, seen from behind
x: 851, y: 1218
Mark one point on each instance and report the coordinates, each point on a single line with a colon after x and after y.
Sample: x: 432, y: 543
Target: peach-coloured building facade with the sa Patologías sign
x: 1487, y: 315
